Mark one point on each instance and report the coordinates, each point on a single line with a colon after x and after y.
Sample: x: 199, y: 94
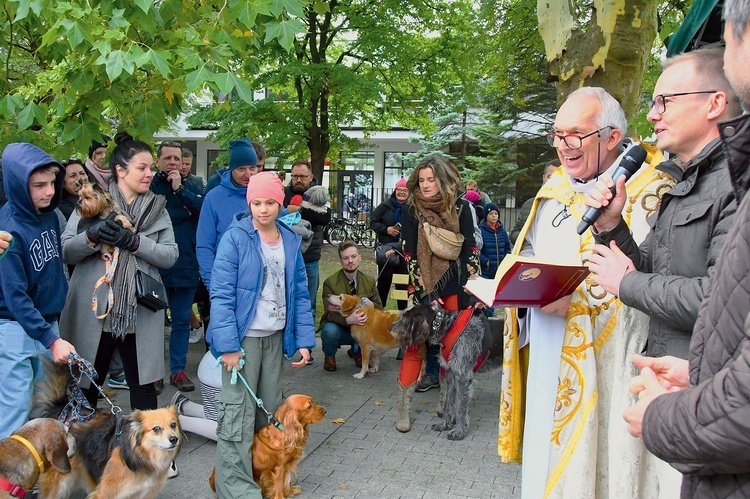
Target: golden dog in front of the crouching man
x: 374, y: 337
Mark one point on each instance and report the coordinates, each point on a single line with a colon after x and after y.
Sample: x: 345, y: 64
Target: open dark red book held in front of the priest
x: 527, y: 282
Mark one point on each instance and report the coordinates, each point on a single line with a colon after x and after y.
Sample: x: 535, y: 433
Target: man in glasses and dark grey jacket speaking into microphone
x: 667, y: 276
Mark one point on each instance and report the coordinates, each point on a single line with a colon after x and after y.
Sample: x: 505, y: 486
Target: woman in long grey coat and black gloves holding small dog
x: 136, y: 331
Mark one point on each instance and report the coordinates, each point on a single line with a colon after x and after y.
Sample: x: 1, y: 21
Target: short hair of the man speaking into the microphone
x: 709, y: 66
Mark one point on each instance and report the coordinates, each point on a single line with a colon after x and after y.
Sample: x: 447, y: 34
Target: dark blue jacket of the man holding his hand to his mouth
x: 184, y: 208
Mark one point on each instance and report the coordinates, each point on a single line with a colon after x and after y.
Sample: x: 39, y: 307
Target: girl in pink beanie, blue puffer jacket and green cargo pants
x: 260, y: 311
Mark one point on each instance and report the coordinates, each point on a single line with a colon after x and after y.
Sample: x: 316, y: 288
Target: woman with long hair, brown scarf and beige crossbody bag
x: 434, y: 198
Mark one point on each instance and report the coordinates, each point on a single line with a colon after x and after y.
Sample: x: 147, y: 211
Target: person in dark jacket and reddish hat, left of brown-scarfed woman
x: 386, y: 223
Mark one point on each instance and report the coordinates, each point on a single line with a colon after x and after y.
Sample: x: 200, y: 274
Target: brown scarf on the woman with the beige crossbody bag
x: 434, y: 269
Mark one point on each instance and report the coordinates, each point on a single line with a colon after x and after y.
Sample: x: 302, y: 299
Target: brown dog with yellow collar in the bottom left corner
x: 18, y: 464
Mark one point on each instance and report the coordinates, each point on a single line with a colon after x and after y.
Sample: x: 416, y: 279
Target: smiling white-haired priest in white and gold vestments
x: 571, y: 356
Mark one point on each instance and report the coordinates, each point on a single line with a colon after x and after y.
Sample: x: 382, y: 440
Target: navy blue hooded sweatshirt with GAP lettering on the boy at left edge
x: 32, y: 280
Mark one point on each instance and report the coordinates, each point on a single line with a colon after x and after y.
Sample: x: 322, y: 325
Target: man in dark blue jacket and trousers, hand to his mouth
x: 184, y: 202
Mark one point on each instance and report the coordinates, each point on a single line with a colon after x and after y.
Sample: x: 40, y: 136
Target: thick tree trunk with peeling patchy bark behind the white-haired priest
x: 611, y: 52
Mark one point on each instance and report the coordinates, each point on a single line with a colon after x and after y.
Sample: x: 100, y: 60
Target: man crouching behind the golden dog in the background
x: 335, y: 328
